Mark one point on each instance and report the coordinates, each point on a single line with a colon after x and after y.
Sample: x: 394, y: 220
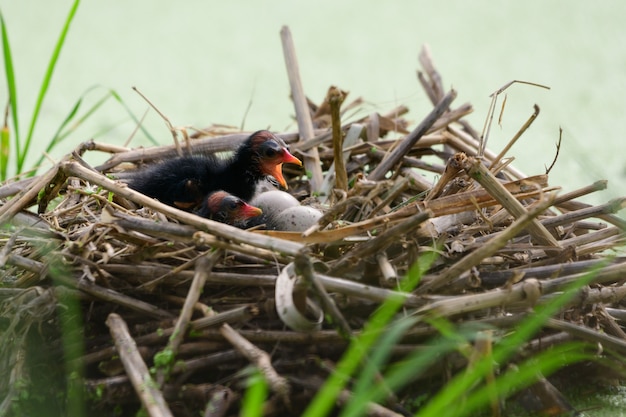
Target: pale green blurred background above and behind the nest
x: 204, y: 62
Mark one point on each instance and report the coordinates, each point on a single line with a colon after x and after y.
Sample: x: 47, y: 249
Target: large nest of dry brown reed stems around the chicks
x: 112, y: 282
